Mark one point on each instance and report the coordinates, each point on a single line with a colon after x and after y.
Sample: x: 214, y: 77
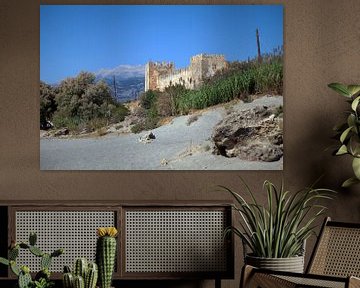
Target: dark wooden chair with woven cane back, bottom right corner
x: 335, y: 262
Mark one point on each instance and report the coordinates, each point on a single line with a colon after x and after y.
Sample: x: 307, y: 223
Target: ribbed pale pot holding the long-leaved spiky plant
x: 291, y: 264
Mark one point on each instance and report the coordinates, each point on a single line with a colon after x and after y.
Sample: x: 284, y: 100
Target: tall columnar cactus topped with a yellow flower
x: 106, y: 254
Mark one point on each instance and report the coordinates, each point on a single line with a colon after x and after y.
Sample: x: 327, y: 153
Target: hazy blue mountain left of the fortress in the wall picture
x: 129, y: 81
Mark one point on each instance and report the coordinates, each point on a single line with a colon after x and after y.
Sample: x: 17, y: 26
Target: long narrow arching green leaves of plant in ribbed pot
x: 279, y: 228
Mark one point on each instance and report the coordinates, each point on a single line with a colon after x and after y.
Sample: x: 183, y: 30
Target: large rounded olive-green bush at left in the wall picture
x: 80, y: 103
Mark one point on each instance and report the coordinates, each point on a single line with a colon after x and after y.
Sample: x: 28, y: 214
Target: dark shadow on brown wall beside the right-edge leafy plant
x: 333, y: 170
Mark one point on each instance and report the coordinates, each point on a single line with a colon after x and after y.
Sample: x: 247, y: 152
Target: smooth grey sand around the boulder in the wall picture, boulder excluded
x: 177, y: 146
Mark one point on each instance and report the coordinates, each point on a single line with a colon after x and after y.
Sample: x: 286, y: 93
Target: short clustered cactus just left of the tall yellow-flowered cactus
x: 84, y: 275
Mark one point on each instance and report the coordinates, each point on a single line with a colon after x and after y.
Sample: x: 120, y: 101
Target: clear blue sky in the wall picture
x: 76, y: 38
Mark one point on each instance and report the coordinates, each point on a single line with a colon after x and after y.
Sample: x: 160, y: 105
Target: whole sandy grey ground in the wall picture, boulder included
x: 232, y: 136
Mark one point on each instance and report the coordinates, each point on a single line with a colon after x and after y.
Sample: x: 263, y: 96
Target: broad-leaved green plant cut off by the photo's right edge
x: 348, y: 132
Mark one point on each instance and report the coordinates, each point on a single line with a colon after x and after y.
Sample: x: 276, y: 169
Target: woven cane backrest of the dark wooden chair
x: 337, y: 251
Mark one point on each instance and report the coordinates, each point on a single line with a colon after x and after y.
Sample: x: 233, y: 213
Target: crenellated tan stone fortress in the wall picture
x: 158, y: 75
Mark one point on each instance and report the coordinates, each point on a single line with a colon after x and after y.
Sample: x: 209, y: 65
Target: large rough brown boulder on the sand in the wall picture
x: 254, y: 135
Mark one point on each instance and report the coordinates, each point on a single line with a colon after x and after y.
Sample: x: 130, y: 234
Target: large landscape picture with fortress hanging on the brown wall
x: 161, y: 87
